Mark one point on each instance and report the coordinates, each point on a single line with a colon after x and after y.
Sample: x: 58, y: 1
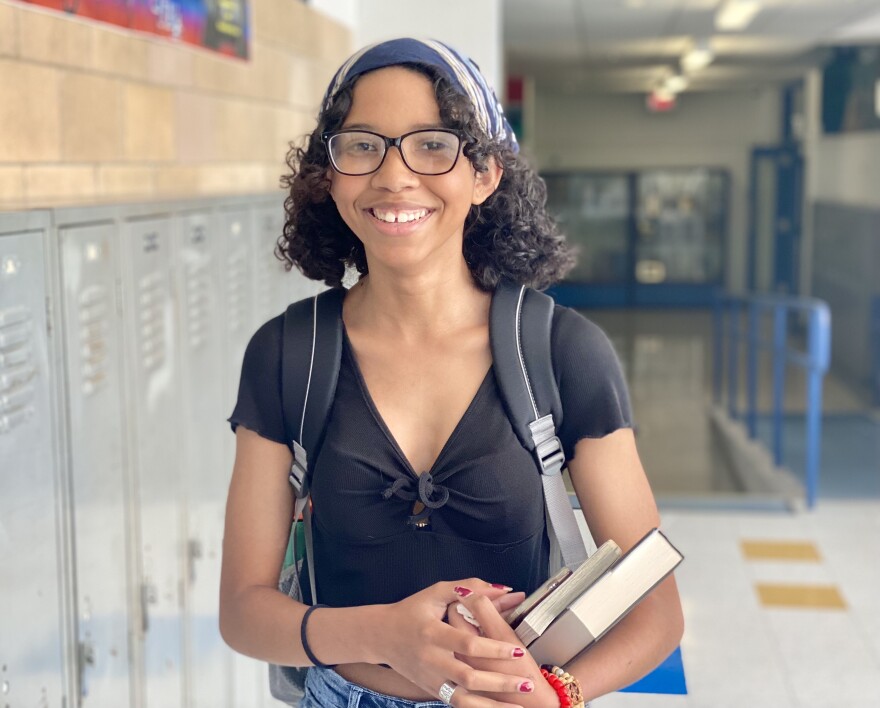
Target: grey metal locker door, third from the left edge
x: 157, y: 464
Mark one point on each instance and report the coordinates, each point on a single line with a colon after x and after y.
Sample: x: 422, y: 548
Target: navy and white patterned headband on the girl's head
x: 462, y: 72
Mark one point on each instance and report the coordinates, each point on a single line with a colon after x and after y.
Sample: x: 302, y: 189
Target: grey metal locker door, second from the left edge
x: 98, y: 482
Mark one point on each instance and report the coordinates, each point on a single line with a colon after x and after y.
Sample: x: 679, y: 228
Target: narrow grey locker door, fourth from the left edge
x: 208, y: 660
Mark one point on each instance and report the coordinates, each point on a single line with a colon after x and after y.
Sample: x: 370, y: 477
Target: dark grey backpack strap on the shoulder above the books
x: 520, y: 326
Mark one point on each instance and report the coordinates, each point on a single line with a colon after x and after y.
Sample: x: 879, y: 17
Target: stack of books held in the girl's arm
x: 575, y: 608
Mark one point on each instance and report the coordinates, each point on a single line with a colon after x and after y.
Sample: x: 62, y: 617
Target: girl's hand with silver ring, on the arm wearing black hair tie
x: 415, y: 641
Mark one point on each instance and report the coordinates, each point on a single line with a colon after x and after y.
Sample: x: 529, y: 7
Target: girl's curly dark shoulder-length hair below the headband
x: 509, y: 235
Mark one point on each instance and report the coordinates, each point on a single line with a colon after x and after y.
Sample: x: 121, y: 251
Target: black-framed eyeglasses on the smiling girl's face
x: 361, y: 152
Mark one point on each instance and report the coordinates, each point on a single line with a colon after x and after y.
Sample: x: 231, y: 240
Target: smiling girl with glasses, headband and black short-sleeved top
x: 423, y: 496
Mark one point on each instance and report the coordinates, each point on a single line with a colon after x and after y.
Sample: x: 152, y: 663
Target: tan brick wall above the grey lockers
x: 90, y: 113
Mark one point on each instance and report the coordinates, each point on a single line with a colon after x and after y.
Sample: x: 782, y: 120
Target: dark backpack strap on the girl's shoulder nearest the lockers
x: 311, y: 356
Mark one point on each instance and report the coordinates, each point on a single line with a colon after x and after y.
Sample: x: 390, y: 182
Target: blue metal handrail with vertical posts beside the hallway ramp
x: 763, y: 323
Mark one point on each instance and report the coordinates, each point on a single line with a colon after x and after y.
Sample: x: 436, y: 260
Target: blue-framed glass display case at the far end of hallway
x: 654, y: 237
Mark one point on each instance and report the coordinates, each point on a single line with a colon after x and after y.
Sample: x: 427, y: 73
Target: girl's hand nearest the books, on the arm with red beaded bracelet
x: 489, y: 615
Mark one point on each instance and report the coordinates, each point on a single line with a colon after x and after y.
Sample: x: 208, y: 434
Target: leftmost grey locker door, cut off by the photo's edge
x: 31, y: 668
